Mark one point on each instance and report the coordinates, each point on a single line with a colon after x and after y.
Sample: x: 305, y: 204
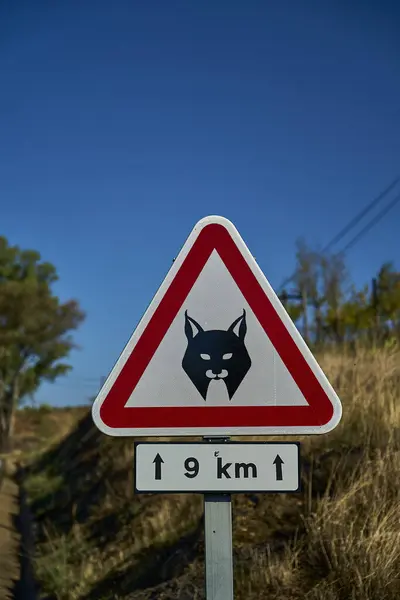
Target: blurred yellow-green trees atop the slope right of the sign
x: 333, y: 311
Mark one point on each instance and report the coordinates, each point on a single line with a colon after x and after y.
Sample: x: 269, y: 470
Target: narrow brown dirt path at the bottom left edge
x: 16, y: 581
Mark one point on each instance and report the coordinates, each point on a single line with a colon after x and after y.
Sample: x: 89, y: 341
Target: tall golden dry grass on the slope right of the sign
x: 350, y: 541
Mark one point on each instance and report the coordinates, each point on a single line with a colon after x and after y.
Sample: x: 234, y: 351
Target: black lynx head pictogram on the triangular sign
x: 216, y: 354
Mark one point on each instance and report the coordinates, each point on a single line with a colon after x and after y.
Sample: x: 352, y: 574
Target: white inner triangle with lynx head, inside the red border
x: 214, y: 303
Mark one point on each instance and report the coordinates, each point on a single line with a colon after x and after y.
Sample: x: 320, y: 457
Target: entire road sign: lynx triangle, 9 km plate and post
x: 216, y: 355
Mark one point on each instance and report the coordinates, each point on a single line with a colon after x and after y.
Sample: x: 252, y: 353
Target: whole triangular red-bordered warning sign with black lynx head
x: 216, y: 354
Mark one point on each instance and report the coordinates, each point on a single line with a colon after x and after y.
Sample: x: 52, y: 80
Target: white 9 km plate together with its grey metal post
x: 217, y: 467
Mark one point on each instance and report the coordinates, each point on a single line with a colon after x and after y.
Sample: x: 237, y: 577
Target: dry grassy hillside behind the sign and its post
x: 338, y: 540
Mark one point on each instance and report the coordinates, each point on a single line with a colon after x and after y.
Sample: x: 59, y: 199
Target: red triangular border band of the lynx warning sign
x: 113, y: 412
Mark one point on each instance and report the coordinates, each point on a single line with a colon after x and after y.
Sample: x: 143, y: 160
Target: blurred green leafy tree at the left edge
x: 35, y: 329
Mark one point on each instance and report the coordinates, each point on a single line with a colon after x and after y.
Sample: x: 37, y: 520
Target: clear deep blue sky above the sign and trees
x: 122, y: 124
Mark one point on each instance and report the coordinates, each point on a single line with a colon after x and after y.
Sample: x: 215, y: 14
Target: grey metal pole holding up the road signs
x: 218, y: 542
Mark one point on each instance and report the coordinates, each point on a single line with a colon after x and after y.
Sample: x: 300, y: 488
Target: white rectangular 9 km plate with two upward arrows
x: 226, y: 467
